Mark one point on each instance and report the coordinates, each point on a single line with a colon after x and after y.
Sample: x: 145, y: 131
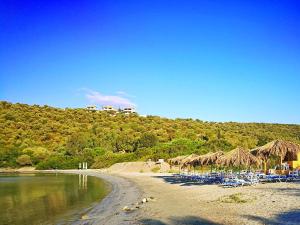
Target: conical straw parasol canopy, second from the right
x: 238, y: 157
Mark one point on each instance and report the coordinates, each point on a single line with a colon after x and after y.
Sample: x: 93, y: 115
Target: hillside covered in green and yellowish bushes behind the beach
x: 49, y: 137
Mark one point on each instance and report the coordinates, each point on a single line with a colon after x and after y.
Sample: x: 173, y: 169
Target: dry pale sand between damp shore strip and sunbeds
x: 178, y: 202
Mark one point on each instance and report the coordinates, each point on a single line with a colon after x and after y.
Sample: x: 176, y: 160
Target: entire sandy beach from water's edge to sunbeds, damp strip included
x: 176, y: 201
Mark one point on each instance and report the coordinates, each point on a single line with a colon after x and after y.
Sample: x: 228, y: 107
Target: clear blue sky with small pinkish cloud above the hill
x: 213, y: 60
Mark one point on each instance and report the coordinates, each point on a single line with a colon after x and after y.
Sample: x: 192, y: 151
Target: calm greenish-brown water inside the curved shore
x: 48, y: 198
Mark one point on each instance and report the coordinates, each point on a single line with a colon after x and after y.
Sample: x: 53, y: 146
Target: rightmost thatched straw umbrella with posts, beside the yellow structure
x: 282, y: 149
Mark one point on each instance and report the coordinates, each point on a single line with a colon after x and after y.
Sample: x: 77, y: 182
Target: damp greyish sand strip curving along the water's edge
x: 109, y: 211
